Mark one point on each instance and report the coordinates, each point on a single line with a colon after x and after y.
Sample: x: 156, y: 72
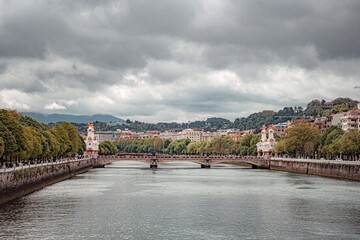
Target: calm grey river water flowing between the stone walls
x: 127, y: 200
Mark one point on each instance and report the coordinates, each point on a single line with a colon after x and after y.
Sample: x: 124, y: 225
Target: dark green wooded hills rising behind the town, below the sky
x: 313, y: 109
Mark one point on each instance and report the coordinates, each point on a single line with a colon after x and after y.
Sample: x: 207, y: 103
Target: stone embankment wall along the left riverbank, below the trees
x: 20, y: 182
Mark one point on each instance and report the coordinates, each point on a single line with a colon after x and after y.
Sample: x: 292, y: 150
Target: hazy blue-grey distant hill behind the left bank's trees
x: 72, y: 118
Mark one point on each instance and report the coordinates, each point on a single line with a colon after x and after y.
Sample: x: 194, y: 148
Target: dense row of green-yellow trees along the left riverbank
x: 23, y: 138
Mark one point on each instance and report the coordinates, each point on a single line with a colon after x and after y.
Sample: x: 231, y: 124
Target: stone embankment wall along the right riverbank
x: 342, y: 170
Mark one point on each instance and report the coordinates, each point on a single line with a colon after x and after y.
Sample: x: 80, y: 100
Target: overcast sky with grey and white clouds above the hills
x: 176, y: 60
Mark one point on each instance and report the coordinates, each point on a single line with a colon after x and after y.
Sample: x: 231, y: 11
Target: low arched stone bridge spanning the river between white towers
x: 203, y: 161
